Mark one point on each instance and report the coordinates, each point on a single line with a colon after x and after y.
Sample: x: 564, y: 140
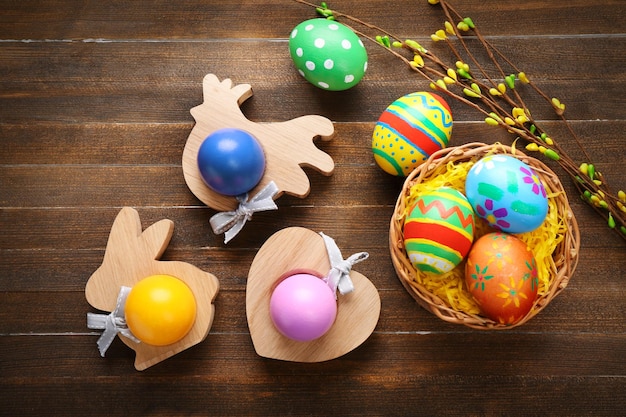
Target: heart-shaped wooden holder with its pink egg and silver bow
x: 292, y: 308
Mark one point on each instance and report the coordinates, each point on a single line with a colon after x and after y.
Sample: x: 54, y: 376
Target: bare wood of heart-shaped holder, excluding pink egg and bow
x: 292, y: 250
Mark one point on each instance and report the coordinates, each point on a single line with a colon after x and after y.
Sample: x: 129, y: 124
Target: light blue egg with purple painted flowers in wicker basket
x: 507, y: 193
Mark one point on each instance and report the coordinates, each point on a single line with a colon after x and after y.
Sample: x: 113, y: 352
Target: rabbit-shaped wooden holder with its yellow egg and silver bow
x: 131, y: 260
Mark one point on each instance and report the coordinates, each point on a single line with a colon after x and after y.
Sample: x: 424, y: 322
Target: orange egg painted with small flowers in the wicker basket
x: 501, y: 275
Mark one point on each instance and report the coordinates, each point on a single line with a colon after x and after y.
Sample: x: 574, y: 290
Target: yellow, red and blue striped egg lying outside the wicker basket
x: 410, y: 130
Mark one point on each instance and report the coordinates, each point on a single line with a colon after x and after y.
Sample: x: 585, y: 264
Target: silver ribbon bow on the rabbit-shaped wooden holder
x: 112, y: 323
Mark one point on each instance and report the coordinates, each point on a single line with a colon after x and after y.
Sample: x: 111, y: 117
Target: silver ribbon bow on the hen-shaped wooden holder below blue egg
x: 231, y: 222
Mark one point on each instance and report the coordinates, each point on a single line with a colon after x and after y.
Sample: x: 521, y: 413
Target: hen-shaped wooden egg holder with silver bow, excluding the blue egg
x: 287, y: 146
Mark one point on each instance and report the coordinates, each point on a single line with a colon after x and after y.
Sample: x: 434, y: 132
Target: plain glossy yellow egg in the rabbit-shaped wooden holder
x: 160, y: 310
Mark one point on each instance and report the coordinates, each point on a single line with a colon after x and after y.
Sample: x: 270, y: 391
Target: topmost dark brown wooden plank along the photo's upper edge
x: 244, y: 19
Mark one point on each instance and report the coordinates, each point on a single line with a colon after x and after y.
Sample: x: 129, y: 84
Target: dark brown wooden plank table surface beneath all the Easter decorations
x: 94, y: 115
